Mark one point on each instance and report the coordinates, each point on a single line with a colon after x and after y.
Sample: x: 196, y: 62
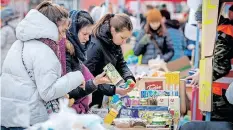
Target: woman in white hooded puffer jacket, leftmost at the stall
x: 33, y: 71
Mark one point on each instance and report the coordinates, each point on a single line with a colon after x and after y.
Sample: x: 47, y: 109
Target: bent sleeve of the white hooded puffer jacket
x: 47, y: 71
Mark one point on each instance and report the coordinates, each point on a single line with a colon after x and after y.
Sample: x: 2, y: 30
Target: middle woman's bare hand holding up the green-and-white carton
x: 101, y: 79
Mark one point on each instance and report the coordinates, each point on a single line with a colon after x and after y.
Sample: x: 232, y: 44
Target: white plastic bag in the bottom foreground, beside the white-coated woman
x: 68, y: 119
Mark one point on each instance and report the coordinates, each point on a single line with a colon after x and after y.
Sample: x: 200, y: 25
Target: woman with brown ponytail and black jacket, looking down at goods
x: 105, y: 47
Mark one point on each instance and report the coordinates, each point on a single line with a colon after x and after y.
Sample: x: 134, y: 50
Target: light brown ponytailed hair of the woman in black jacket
x: 118, y: 21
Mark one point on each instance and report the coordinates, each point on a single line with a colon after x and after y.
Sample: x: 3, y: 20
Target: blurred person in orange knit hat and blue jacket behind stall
x: 154, y: 41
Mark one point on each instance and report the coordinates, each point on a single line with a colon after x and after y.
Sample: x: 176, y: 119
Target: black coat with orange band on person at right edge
x: 223, y: 53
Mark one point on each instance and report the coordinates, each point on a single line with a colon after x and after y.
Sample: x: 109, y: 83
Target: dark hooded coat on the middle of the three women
x: 74, y: 62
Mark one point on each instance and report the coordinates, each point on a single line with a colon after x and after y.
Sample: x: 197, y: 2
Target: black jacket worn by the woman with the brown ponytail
x: 102, y: 51
